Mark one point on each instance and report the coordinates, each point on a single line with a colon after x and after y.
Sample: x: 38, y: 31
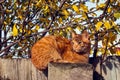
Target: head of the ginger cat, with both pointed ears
x: 80, y: 42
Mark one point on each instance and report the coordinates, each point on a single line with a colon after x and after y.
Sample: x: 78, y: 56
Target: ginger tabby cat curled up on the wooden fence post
x: 58, y: 49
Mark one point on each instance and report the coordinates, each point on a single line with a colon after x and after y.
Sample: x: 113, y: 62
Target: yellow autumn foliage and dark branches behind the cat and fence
x: 23, y: 22
